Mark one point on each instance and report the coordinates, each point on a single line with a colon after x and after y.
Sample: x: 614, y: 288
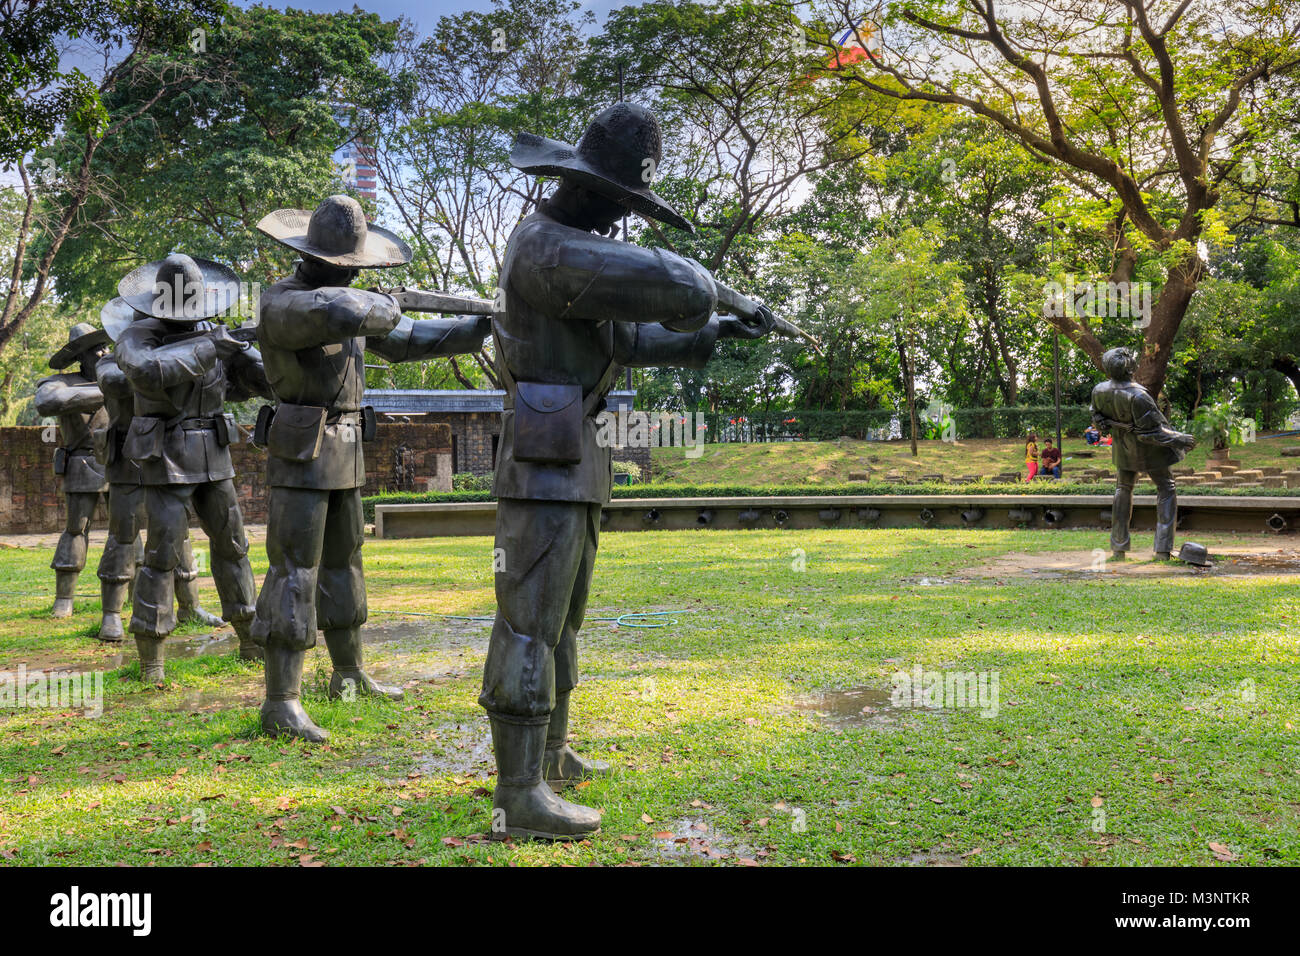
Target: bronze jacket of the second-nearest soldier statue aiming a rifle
x: 314, y: 341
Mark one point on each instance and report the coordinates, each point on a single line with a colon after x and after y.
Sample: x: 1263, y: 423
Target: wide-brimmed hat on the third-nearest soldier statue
x: 181, y: 289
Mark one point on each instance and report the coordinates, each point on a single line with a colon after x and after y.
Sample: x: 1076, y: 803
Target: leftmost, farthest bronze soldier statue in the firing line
x: 76, y: 401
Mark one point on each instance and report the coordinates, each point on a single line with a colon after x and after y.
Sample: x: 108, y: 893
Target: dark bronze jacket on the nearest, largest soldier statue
x: 579, y: 305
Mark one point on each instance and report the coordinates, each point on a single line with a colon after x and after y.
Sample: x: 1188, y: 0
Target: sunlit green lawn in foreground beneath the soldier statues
x: 1168, y: 704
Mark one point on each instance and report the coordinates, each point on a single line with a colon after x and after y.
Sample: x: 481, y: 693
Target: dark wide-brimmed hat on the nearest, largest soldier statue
x: 609, y: 159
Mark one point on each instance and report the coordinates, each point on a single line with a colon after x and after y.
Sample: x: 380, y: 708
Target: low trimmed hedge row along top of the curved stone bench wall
x: 674, y: 491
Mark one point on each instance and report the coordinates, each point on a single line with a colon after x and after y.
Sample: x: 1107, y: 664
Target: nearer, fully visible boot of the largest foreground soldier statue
x: 525, y: 806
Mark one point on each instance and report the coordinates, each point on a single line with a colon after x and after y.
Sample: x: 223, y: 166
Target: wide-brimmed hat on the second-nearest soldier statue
x: 337, y: 233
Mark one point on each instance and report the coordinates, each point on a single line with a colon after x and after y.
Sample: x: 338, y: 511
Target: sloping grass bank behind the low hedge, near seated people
x: 830, y: 462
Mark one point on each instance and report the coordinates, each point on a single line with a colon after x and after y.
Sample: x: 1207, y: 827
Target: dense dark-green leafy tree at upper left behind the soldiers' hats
x: 271, y: 97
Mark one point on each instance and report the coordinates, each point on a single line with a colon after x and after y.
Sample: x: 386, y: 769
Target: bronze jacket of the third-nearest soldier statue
x: 180, y: 434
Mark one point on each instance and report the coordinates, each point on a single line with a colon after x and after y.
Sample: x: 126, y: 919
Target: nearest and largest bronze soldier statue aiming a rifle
x: 578, y: 305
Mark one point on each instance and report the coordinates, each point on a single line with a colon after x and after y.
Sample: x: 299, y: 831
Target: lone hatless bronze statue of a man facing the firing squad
x: 1143, y: 442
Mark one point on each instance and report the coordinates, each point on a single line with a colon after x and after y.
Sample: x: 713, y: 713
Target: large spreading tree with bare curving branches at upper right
x: 1146, y: 106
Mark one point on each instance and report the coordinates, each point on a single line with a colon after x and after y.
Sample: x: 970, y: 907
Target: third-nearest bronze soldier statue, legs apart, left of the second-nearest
x: 183, y: 367
